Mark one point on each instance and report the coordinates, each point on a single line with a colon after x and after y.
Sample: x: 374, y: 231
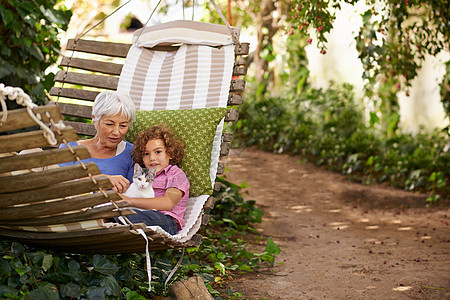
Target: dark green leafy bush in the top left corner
x: 29, y: 44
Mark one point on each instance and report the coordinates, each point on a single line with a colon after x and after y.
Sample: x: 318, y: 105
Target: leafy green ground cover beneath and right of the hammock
x: 31, y: 273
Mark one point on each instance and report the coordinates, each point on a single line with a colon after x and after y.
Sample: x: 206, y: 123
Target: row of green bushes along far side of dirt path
x: 329, y: 128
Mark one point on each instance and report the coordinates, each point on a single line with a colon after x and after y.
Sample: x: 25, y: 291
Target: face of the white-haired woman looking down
x: 111, y: 130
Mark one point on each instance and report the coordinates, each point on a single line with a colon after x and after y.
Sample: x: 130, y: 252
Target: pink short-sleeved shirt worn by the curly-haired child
x: 173, y: 176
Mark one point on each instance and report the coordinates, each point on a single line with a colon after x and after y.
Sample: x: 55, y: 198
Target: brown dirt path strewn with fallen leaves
x: 338, y: 239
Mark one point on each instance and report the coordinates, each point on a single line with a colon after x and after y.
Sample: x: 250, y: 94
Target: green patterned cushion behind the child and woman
x: 197, y: 128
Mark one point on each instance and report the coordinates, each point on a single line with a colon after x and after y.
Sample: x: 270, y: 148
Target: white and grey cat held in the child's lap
x: 142, y: 183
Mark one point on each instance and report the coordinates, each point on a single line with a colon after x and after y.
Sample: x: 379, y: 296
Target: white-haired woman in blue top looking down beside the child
x: 112, y: 114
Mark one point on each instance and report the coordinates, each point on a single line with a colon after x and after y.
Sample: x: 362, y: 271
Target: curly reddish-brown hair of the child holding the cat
x: 174, y: 145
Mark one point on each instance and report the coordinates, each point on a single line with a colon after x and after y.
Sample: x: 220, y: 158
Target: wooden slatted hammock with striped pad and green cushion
x: 182, y: 73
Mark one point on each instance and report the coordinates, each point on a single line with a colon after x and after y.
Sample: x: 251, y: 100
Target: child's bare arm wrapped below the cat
x: 171, y: 197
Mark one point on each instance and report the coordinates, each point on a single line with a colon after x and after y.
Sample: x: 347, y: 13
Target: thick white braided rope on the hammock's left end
x: 21, y: 98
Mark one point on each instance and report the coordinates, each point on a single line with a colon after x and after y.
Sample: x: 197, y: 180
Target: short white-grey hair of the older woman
x: 110, y: 103
